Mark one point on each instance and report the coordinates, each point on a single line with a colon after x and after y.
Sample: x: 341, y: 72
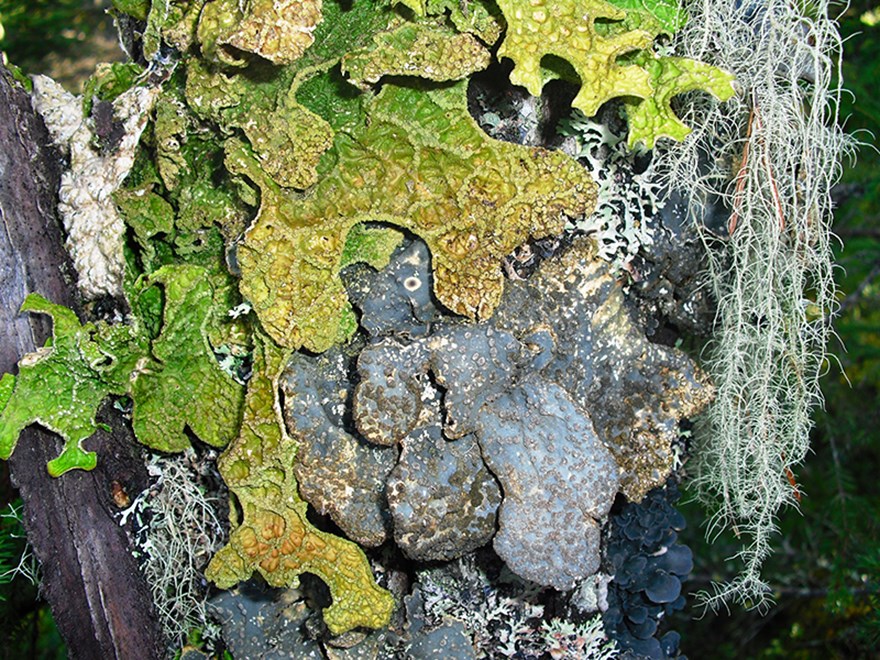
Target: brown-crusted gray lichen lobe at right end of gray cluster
x: 635, y: 391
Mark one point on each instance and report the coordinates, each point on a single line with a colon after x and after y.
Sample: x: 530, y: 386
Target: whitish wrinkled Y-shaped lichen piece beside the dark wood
x: 95, y: 231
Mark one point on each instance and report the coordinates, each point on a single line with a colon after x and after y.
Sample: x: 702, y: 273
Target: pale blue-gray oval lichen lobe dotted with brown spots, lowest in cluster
x: 559, y: 483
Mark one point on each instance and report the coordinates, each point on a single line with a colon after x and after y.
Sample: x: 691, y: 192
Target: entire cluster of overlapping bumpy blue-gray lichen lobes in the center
x: 559, y: 399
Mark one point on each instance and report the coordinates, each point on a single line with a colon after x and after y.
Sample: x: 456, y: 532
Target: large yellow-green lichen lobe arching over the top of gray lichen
x: 420, y: 163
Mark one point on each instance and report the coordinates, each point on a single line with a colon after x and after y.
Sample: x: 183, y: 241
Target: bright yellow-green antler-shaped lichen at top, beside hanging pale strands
x: 608, y: 45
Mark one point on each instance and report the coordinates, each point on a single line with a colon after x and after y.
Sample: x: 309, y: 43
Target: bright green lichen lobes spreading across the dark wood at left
x: 174, y: 380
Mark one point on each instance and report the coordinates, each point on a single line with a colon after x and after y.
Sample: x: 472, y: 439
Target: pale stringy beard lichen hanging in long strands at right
x: 772, y: 155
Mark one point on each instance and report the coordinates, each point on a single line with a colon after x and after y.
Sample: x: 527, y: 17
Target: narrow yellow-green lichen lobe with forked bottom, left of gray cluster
x: 274, y: 537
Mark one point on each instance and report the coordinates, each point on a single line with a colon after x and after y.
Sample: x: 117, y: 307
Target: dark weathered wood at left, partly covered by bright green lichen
x: 98, y: 597
